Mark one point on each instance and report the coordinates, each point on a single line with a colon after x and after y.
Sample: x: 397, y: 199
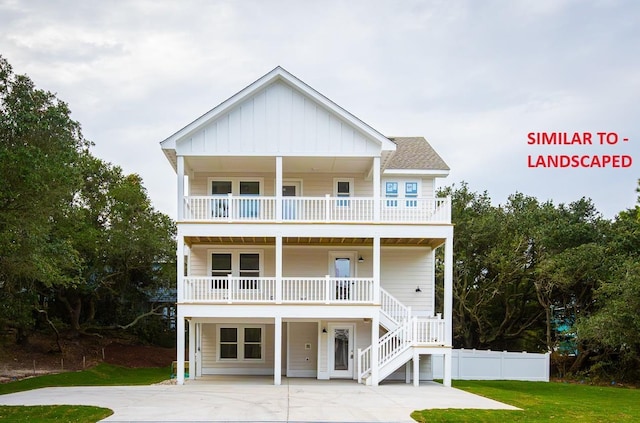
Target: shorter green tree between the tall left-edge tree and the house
x: 125, y: 245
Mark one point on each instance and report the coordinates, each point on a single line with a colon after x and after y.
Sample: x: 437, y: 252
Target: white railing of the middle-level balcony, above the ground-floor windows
x: 234, y: 290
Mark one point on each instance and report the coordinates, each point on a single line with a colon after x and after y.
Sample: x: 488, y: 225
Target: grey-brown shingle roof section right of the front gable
x: 415, y: 153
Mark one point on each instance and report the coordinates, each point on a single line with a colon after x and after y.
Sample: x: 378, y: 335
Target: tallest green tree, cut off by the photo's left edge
x: 41, y: 148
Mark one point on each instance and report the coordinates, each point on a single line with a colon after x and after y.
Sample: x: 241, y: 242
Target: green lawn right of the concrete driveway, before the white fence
x: 543, y: 402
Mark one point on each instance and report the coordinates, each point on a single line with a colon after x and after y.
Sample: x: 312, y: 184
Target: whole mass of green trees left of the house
x: 81, y: 246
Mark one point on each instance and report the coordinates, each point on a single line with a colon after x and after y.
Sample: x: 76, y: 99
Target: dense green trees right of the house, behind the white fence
x: 542, y: 277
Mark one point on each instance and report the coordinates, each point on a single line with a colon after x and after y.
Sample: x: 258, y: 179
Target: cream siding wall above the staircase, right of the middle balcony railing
x: 405, y: 268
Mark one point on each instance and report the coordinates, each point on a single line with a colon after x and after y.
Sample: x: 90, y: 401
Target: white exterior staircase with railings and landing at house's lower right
x: 404, y: 333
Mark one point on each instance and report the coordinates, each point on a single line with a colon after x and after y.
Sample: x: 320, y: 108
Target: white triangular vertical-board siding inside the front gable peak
x: 278, y: 120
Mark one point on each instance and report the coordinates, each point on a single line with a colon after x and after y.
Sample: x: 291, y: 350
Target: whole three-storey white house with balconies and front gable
x: 306, y: 242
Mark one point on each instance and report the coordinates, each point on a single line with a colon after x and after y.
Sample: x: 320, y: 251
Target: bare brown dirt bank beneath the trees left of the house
x: 41, y: 355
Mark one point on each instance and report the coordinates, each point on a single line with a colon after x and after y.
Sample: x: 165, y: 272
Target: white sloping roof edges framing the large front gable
x: 277, y: 74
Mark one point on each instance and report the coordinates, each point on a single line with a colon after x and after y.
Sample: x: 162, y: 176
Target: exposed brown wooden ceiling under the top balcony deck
x: 328, y: 241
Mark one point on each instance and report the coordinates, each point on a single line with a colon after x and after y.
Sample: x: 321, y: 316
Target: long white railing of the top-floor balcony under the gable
x: 316, y: 209
